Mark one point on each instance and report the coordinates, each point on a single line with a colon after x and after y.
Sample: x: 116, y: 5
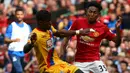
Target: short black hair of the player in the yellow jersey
x: 43, y: 15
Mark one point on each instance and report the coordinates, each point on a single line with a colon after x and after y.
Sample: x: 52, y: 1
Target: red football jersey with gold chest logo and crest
x: 88, y: 45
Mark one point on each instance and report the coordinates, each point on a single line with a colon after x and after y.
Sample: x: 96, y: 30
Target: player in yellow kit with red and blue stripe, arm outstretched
x: 43, y: 43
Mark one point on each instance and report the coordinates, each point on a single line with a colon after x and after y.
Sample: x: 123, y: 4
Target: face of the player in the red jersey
x: 92, y: 14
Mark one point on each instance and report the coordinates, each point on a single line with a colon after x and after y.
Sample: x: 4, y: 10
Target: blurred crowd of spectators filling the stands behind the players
x: 64, y: 12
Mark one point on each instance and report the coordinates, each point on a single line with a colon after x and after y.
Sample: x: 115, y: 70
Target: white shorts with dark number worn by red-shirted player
x: 95, y: 67
